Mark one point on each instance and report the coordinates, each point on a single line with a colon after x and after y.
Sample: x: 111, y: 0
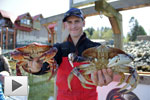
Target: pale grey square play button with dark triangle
x: 16, y: 86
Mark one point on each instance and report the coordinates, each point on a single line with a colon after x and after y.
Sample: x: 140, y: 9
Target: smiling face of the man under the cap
x: 75, y: 26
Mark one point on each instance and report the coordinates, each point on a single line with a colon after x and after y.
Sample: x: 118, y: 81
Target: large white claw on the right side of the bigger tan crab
x: 119, y: 60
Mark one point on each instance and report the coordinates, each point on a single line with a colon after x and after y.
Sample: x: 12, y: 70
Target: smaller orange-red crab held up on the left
x: 24, y: 54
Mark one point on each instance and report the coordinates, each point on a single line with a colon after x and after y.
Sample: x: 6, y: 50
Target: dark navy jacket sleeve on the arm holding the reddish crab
x: 57, y: 57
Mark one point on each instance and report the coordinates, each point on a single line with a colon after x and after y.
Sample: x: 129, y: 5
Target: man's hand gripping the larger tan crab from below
x: 102, y: 77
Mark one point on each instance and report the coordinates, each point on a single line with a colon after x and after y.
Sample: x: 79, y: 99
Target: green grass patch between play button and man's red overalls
x: 40, y: 87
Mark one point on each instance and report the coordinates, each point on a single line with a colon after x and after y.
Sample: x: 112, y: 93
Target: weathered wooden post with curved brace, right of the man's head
x: 115, y: 19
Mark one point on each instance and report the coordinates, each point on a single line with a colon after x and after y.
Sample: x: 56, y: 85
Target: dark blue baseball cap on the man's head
x: 73, y: 12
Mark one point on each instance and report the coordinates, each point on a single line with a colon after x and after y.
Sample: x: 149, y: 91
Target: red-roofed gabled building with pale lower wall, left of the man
x: 29, y: 29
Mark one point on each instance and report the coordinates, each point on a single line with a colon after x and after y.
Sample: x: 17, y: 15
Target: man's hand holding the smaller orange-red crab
x: 35, y: 65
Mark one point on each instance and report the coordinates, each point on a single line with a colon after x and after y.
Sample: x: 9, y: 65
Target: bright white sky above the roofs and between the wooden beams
x: 53, y: 7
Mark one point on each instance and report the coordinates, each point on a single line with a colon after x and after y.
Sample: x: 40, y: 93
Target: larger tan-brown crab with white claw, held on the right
x: 102, y: 57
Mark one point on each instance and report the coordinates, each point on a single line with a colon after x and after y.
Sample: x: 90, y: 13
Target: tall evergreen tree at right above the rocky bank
x: 136, y: 29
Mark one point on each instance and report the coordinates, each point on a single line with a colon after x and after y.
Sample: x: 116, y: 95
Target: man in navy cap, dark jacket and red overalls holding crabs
x: 76, y: 43
